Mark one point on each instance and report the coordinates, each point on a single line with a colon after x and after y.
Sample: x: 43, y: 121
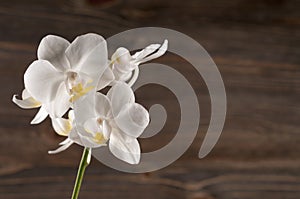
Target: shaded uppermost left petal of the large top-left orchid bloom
x: 52, y: 48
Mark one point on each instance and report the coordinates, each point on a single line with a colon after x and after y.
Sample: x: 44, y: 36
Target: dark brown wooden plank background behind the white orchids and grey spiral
x: 256, y: 45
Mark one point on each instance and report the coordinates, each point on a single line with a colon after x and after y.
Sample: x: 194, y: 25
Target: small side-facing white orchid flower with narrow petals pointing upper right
x: 123, y: 64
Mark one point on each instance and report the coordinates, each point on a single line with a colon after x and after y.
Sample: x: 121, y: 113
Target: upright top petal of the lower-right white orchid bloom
x: 120, y: 94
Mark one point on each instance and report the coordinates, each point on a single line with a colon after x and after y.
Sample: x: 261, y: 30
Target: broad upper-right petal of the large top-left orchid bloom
x: 88, y: 54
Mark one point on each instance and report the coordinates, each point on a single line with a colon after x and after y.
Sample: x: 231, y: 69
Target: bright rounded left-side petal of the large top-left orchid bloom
x: 42, y: 81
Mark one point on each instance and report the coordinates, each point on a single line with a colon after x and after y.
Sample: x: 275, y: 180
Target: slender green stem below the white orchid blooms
x: 85, y: 160
